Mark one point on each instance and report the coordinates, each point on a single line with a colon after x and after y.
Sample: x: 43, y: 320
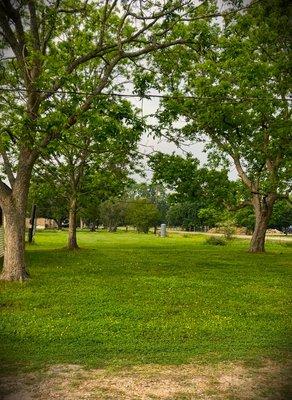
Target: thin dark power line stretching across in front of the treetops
x: 146, y: 96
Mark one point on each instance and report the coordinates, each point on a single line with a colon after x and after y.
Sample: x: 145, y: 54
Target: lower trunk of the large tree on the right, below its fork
x: 263, y: 210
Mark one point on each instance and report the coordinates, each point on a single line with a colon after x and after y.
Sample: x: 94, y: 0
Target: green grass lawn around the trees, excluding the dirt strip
x: 127, y: 299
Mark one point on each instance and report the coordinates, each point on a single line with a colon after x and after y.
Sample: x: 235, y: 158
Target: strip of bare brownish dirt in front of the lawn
x: 232, y: 381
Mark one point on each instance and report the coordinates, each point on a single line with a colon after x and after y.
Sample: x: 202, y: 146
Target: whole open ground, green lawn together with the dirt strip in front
x: 131, y: 308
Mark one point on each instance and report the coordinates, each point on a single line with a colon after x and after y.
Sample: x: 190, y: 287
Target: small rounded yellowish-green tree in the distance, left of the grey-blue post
x: 142, y: 214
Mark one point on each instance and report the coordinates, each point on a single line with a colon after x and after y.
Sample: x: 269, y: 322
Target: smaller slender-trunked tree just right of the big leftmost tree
x: 107, y: 142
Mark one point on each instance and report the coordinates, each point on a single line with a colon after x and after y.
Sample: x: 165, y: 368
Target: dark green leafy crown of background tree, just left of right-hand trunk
x: 199, y: 194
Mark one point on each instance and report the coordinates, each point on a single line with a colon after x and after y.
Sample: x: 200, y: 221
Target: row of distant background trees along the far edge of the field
x: 197, y: 201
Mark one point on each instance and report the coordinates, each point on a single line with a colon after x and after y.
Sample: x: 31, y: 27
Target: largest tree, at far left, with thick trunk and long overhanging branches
x: 49, y: 50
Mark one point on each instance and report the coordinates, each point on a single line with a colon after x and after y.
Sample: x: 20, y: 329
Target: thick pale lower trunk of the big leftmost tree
x: 14, y: 268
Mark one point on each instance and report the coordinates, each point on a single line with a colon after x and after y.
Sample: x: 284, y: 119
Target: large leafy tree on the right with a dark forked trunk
x: 238, y: 97
